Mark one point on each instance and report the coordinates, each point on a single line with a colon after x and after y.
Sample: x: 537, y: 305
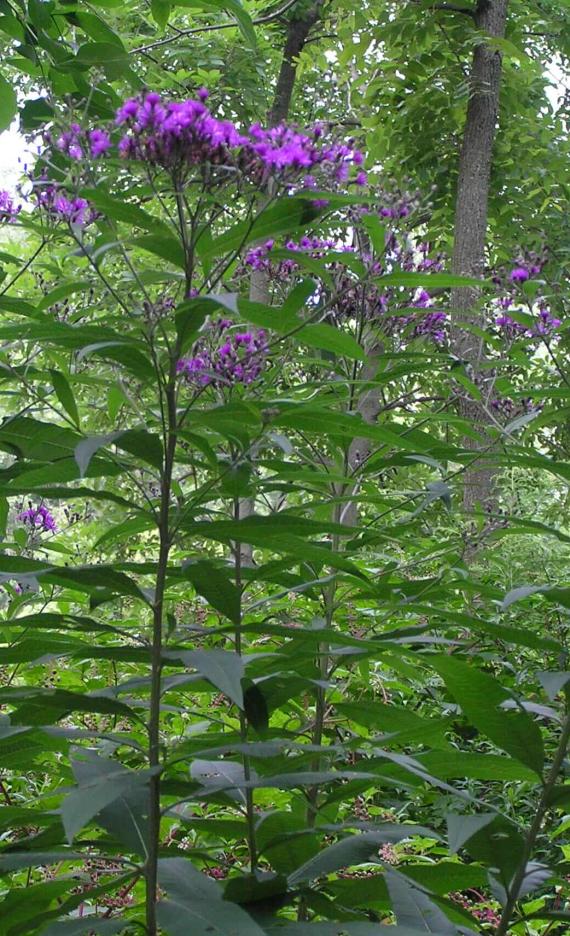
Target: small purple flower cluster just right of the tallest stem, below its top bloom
x: 231, y: 358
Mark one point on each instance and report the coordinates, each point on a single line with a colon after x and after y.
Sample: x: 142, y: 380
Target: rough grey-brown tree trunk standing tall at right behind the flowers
x: 470, y: 235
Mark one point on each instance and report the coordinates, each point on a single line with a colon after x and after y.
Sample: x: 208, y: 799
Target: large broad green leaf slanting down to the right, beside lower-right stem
x: 481, y: 697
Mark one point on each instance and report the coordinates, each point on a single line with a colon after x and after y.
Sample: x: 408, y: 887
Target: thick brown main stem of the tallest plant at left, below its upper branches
x: 156, y: 660
